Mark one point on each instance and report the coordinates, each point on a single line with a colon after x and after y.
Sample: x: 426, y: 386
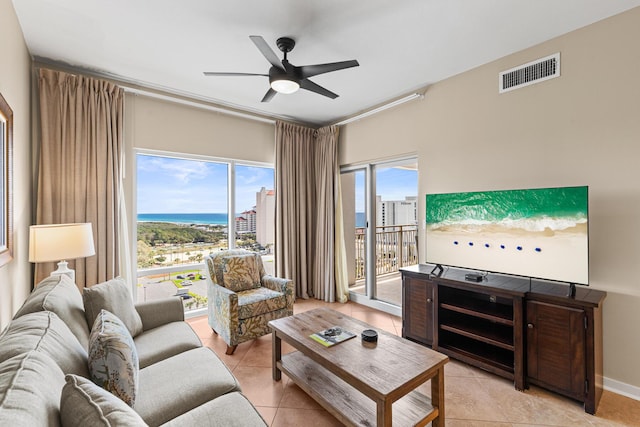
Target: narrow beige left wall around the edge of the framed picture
x: 15, y: 277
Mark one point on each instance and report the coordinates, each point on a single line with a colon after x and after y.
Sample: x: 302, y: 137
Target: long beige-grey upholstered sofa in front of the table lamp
x: 44, y: 371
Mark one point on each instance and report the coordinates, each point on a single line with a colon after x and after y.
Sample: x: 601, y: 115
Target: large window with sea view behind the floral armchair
x: 183, y: 215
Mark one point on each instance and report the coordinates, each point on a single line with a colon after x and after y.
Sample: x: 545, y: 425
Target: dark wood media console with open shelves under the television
x: 525, y: 330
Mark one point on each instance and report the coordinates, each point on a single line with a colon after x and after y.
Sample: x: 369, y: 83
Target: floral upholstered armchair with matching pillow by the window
x: 243, y: 298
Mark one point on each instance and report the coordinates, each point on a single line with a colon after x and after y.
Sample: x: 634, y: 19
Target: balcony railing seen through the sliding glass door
x: 396, y: 247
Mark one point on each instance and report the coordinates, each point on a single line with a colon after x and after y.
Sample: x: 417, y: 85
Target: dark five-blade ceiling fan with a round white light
x: 285, y: 77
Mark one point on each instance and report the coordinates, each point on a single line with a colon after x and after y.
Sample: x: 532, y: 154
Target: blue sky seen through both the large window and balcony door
x: 170, y: 185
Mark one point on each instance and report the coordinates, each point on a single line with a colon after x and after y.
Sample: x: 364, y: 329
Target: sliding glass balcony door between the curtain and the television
x: 380, y: 210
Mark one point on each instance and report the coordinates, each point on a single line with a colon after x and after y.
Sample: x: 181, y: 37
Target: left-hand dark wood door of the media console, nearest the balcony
x: 417, y: 309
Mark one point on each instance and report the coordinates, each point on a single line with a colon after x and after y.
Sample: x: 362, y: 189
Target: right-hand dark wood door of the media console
x: 556, y: 348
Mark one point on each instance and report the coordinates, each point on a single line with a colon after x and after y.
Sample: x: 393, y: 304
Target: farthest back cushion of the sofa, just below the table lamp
x: 59, y: 294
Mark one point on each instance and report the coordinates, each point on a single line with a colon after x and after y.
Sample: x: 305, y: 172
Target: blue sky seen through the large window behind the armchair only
x: 169, y: 185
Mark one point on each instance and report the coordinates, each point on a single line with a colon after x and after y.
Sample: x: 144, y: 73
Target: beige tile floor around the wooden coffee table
x: 473, y: 397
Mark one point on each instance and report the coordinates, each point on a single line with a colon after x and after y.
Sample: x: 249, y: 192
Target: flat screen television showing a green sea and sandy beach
x: 538, y: 233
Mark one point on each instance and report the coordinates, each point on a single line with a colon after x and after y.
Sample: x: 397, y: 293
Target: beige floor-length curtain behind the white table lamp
x: 79, y: 169
